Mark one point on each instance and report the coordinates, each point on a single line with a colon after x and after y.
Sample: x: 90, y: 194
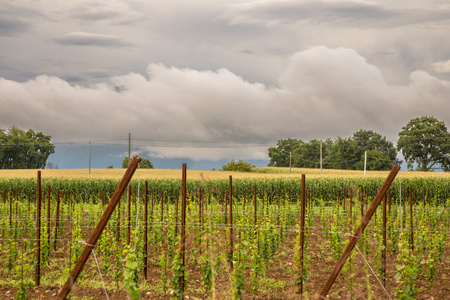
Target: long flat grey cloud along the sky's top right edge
x: 338, y: 13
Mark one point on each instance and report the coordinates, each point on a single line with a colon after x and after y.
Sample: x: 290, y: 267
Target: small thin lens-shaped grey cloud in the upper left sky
x: 90, y: 39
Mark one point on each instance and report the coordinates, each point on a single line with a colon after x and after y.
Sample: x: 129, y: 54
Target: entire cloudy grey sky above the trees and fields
x: 215, y: 80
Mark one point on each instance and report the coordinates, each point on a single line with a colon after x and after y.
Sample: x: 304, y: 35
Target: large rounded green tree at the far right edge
x: 425, y: 141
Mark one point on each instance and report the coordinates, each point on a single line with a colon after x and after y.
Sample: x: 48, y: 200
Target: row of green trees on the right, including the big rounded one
x: 424, y: 143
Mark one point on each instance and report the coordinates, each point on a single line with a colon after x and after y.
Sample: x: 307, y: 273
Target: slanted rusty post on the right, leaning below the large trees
x: 358, y: 233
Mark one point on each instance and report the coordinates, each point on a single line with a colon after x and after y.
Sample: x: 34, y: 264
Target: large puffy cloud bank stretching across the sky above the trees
x: 215, y: 114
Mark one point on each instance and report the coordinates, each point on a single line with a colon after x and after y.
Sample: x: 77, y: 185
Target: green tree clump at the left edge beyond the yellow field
x: 21, y: 149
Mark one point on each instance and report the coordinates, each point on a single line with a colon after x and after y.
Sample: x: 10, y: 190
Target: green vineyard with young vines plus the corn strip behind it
x: 243, y: 238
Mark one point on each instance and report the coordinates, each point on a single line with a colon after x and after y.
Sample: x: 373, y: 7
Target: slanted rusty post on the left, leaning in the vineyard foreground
x: 99, y: 229
